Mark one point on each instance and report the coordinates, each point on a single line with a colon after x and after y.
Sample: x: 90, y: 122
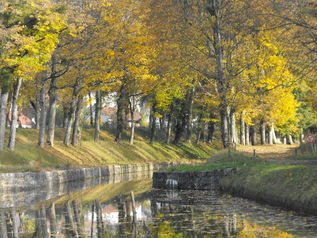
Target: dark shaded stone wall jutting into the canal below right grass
x: 202, y: 180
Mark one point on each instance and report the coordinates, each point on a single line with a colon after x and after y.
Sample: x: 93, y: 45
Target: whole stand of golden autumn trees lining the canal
x: 198, y: 64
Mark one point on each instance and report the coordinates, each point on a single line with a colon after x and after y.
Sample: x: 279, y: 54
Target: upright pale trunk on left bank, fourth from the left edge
x: 52, y: 112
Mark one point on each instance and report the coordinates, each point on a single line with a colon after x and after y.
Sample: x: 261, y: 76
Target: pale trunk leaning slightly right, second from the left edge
x: 14, y: 113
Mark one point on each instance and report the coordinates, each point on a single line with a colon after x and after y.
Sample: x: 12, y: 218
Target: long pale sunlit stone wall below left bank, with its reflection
x: 25, y: 189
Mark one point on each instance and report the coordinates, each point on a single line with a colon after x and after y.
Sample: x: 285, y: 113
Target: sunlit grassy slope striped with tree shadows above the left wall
x: 29, y: 157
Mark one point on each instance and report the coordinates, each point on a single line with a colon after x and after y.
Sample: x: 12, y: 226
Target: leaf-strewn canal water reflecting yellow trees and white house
x: 108, y: 210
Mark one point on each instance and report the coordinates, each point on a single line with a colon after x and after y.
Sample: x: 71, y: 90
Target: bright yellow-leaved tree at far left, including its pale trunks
x: 27, y: 50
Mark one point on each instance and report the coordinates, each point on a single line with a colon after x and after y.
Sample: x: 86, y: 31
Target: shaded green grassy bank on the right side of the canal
x: 289, y: 186
